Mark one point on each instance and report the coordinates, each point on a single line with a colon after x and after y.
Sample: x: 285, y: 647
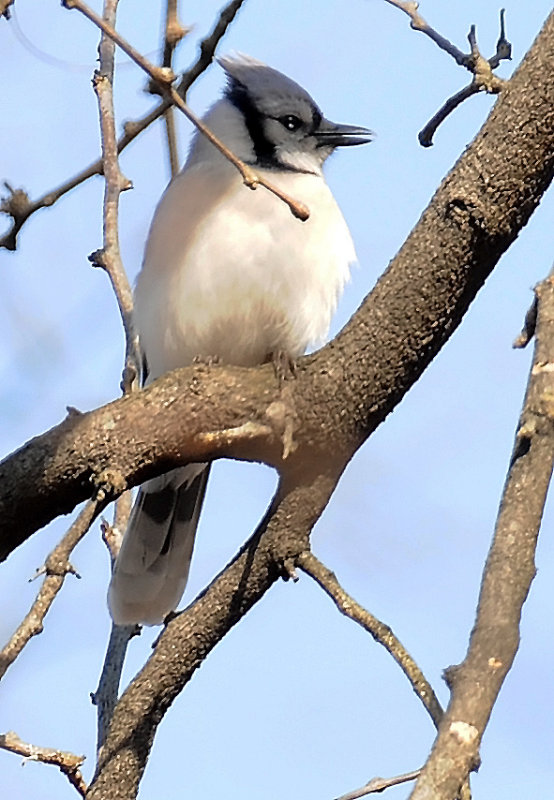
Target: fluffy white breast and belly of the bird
x: 230, y: 272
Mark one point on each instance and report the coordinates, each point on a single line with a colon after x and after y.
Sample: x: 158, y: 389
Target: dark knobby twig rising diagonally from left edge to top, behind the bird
x: 18, y: 205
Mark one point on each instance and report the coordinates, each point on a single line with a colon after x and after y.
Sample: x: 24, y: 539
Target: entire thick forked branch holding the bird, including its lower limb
x: 475, y: 215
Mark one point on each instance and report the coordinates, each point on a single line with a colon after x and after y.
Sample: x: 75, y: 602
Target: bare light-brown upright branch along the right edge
x: 509, y: 571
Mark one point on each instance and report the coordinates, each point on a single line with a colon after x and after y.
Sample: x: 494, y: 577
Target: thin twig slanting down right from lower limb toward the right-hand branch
x: 380, y: 632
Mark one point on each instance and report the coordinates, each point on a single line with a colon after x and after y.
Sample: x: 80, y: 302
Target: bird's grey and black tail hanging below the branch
x: 151, y: 570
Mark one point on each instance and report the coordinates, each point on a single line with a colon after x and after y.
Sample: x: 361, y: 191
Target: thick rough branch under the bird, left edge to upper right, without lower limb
x: 473, y: 218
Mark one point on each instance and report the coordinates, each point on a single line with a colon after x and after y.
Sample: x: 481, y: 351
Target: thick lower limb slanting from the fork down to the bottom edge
x: 191, y: 635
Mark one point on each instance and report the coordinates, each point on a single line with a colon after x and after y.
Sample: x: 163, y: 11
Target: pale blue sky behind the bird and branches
x: 296, y: 699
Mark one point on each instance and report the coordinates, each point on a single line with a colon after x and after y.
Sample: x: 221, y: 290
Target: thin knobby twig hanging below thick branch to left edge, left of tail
x: 56, y: 568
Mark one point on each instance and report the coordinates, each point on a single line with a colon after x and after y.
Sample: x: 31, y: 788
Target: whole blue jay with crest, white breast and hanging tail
x: 229, y: 273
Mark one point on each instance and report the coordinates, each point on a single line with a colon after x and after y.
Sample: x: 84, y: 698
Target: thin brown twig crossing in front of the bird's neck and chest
x: 165, y: 77
